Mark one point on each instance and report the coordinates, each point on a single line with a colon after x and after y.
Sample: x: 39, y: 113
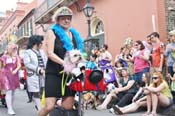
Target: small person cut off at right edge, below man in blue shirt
x: 173, y: 83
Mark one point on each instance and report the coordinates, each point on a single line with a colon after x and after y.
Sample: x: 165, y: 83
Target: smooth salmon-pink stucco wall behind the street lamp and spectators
x: 123, y: 18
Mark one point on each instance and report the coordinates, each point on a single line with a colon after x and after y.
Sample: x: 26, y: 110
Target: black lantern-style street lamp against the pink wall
x: 88, y: 10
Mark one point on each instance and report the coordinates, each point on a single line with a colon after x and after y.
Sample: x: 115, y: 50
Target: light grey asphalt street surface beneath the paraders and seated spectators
x: 22, y: 108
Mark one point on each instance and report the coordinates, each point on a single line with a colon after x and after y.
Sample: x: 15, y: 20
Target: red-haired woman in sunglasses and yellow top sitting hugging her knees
x: 157, y: 92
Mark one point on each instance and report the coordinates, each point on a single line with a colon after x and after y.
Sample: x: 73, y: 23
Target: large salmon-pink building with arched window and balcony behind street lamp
x: 112, y: 21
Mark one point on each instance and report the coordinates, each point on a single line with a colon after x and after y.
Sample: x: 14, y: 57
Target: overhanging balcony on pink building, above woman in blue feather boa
x: 45, y: 11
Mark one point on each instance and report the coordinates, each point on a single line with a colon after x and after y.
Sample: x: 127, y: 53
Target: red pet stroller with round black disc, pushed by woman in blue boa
x: 93, y: 81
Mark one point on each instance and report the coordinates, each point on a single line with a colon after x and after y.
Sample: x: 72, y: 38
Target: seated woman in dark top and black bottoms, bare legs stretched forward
x: 124, y: 93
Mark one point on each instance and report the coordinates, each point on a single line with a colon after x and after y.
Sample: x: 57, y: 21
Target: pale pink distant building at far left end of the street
x: 8, y: 29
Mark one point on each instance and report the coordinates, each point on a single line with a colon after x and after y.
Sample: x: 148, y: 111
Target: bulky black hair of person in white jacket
x: 34, y: 40
